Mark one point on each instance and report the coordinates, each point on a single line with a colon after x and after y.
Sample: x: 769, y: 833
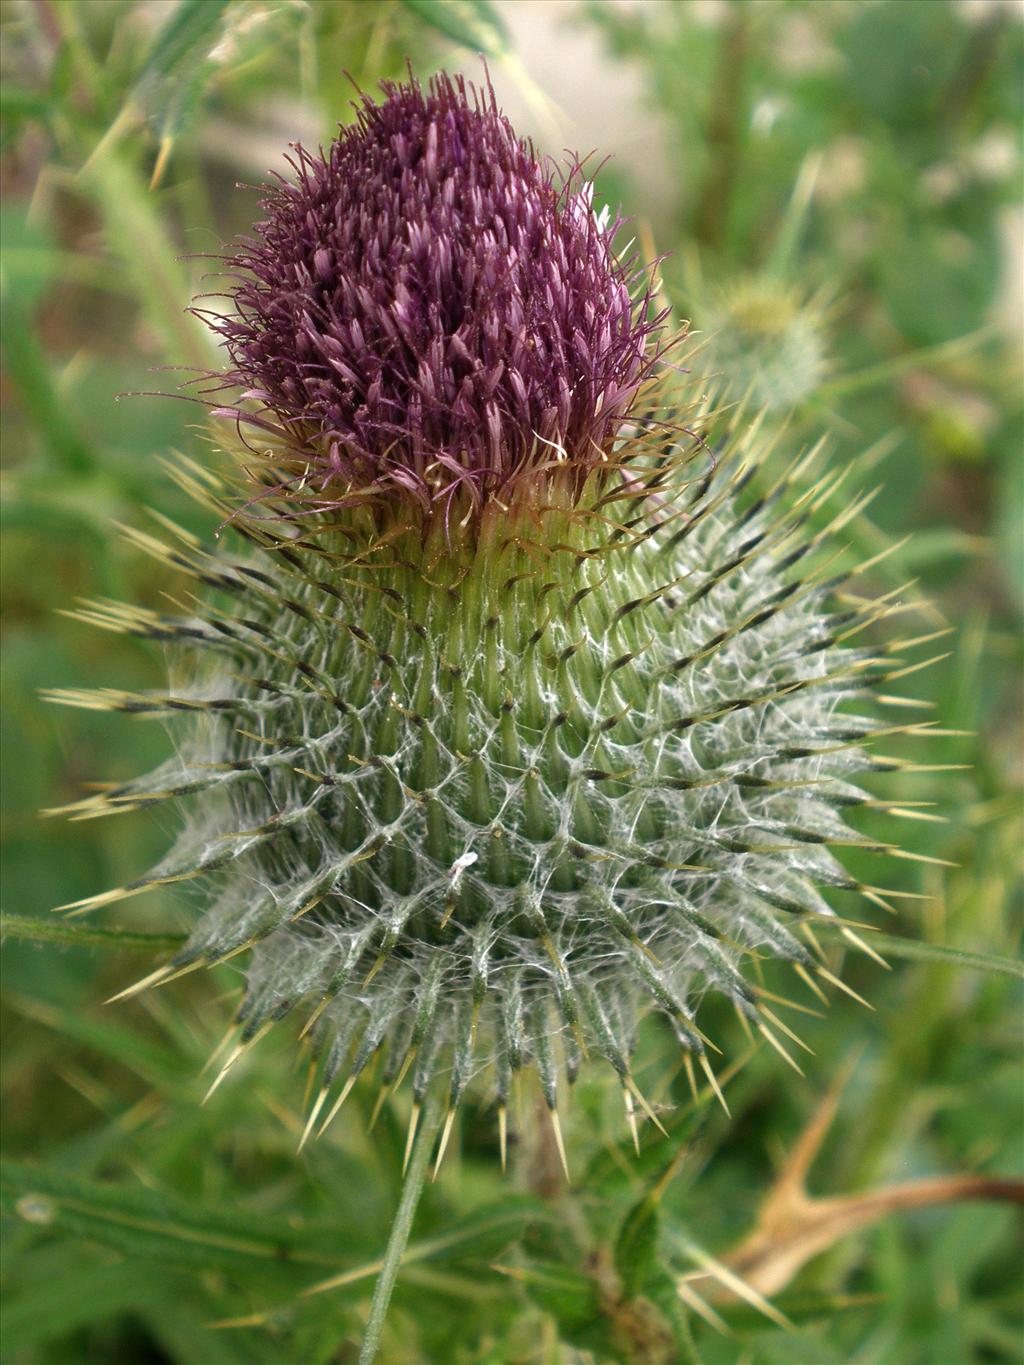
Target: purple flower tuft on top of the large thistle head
x: 429, y: 308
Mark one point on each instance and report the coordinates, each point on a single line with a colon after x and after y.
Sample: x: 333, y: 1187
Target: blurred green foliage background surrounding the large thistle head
x: 858, y: 160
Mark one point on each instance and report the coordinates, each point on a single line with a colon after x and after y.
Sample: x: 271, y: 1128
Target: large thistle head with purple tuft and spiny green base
x: 515, y: 713
